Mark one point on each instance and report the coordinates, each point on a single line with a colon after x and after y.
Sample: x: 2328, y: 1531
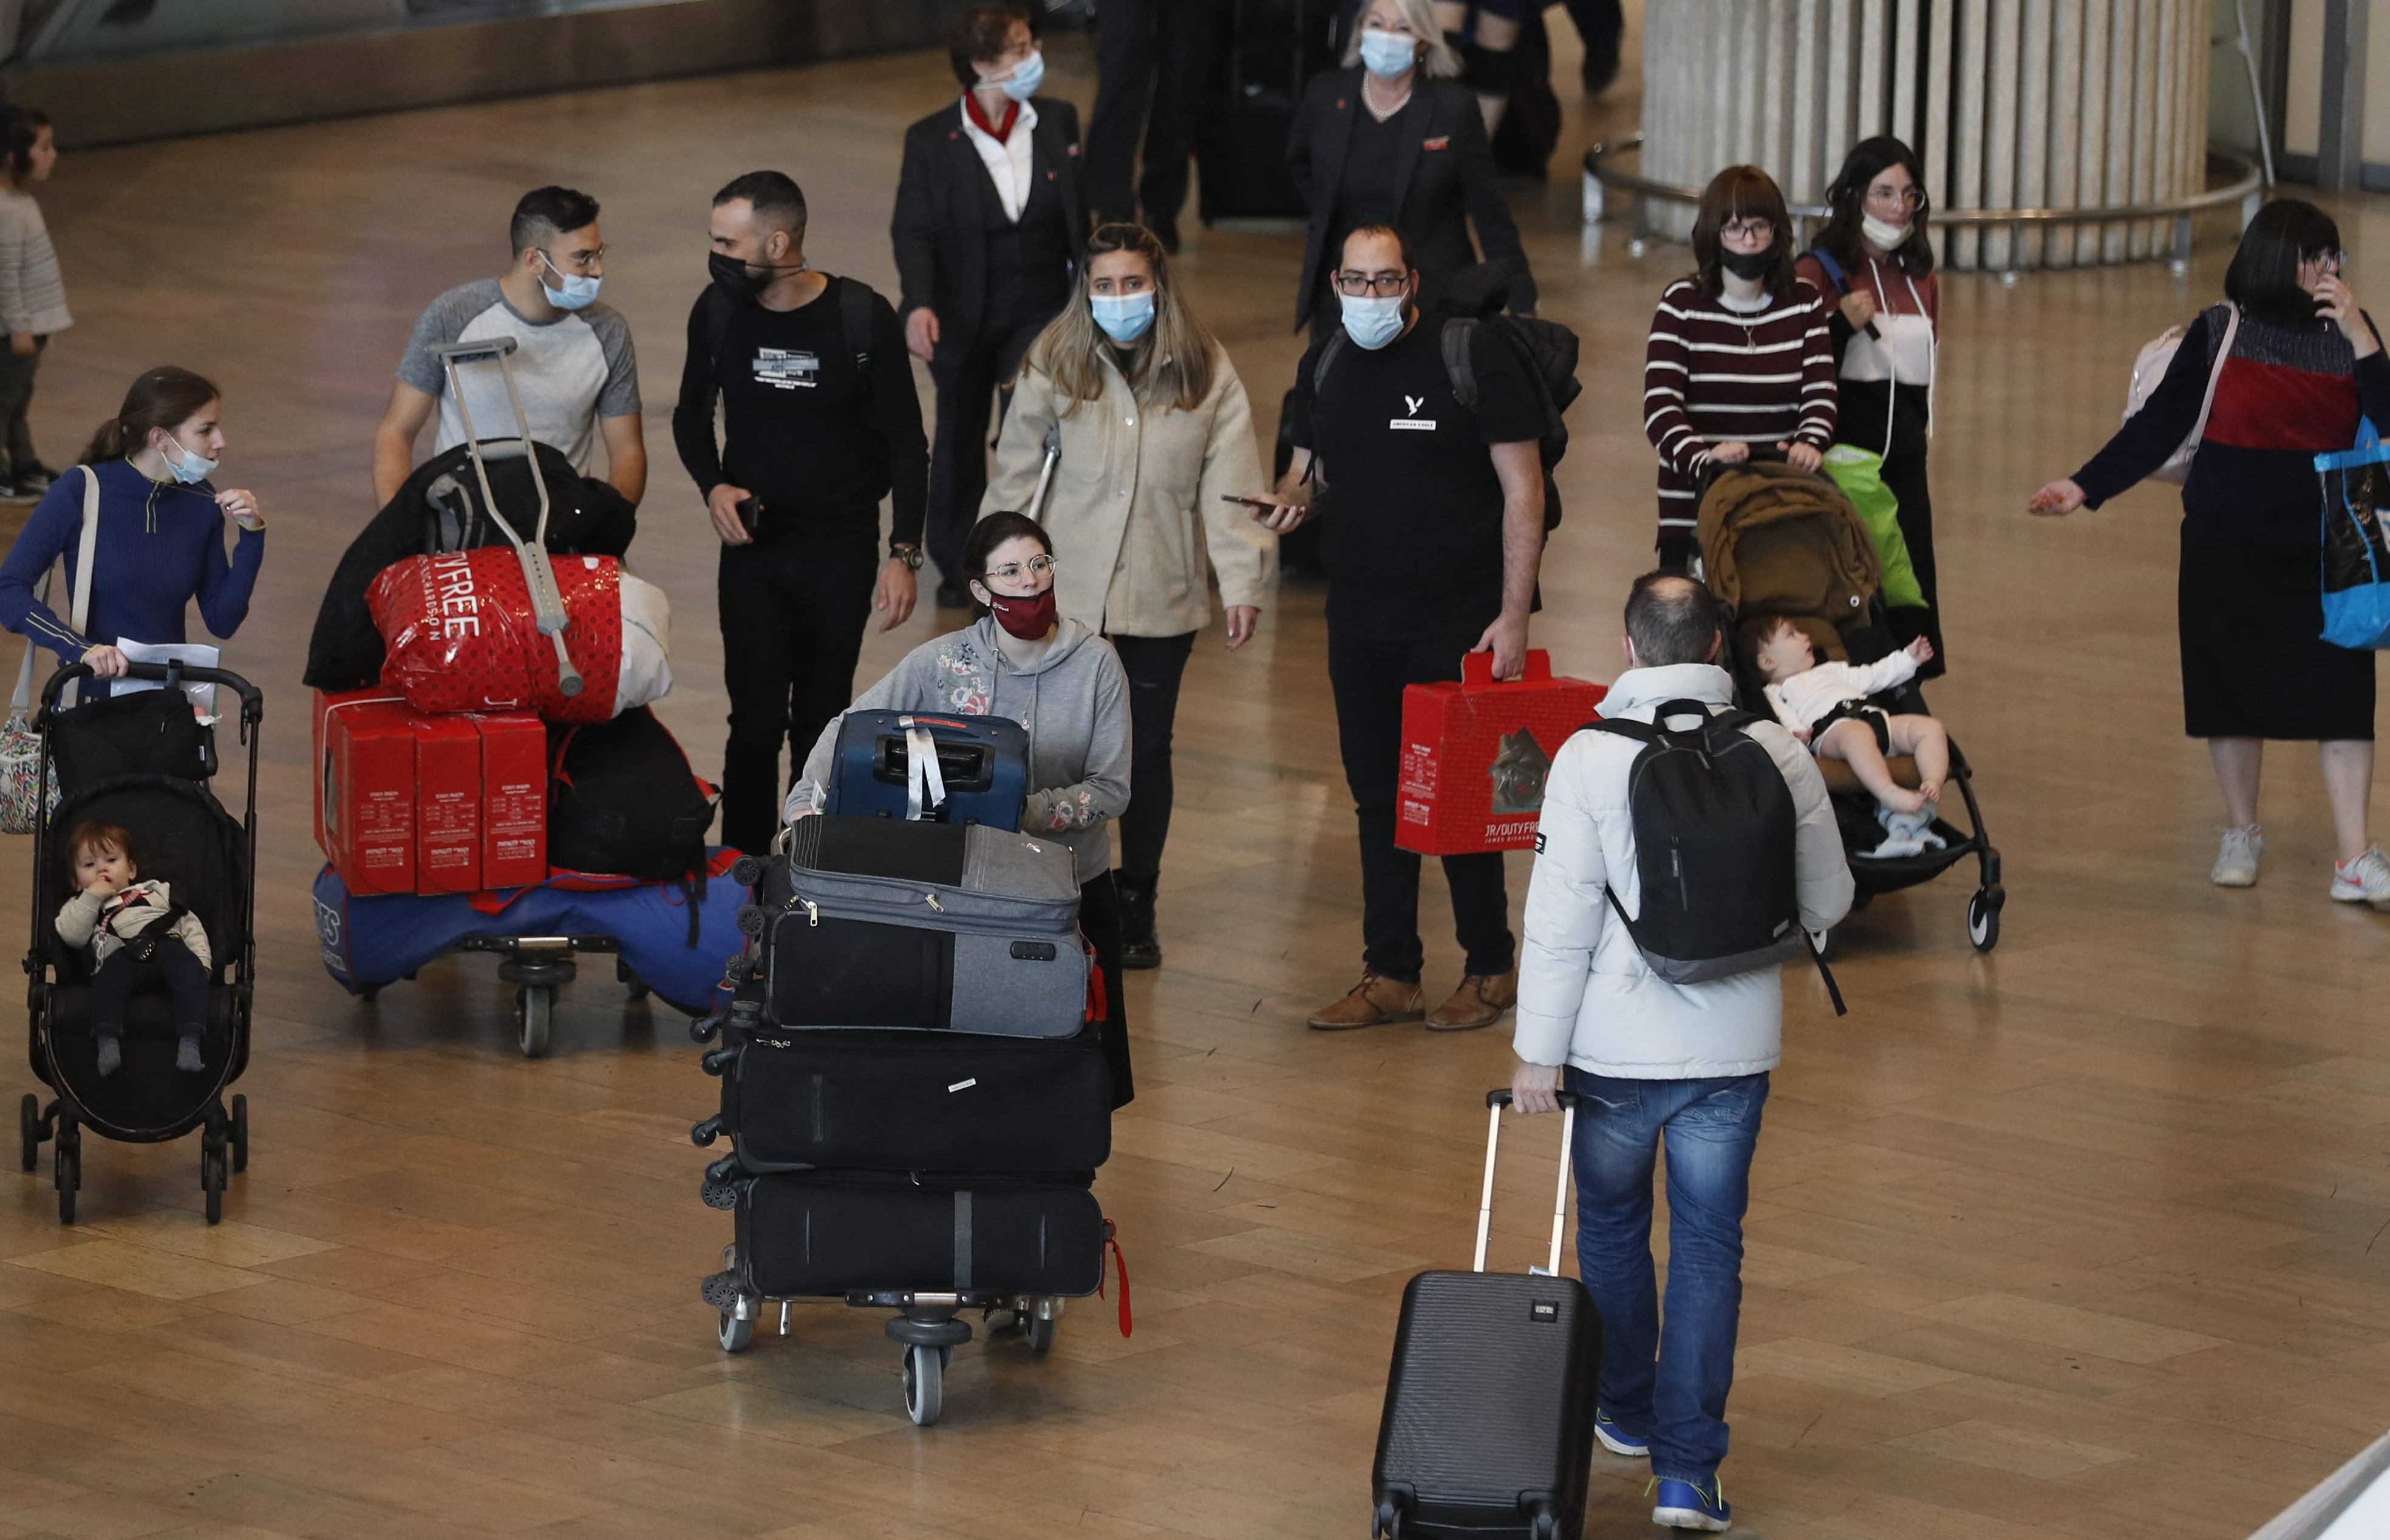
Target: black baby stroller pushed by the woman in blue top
x: 142, y: 762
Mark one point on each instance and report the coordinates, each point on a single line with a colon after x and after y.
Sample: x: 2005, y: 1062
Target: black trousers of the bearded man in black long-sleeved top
x: 792, y: 630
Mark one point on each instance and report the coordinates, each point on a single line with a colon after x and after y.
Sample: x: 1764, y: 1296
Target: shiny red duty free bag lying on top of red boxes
x: 460, y: 635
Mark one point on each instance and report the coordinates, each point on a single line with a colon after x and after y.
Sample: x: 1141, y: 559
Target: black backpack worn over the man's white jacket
x: 1715, y: 833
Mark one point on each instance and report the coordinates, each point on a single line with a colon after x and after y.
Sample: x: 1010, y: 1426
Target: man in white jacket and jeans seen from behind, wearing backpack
x: 1686, y: 850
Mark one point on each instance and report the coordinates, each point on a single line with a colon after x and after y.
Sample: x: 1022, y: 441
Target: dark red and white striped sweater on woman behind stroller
x: 1715, y: 374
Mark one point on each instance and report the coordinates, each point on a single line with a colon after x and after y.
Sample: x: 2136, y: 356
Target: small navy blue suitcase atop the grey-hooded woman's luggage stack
x: 895, y: 764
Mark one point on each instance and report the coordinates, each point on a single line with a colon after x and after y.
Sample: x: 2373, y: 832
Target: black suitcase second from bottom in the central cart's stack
x: 902, y: 1101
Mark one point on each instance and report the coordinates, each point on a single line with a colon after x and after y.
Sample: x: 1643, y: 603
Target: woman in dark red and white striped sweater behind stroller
x: 1739, y: 355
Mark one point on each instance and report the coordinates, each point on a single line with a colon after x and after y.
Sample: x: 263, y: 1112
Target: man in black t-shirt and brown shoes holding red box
x: 1433, y: 554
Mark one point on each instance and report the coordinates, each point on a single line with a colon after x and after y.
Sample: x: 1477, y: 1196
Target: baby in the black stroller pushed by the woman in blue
x: 135, y: 931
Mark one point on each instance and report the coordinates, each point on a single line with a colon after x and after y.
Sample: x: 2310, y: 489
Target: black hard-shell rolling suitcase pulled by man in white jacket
x: 1490, y: 1402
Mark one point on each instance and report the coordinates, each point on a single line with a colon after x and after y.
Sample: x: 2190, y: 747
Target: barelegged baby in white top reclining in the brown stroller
x: 1825, y: 704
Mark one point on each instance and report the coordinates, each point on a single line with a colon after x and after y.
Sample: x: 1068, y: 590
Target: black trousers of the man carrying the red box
x: 1368, y: 680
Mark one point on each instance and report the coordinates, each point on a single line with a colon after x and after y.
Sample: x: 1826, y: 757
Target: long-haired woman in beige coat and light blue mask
x: 1156, y: 487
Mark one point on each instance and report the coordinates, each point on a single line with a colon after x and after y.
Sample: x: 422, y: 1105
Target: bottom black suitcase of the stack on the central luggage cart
x: 831, y: 1235
